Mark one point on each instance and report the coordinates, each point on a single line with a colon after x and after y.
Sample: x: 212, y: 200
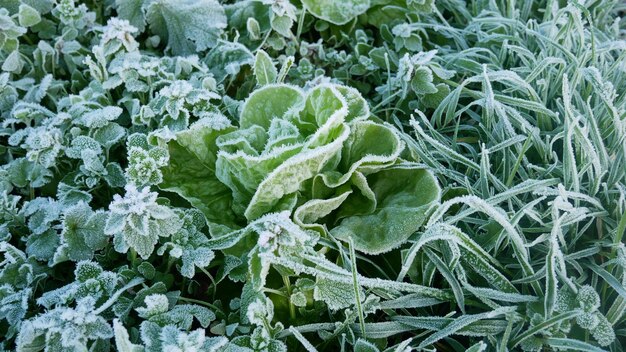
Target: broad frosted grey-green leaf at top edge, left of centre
x: 188, y: 26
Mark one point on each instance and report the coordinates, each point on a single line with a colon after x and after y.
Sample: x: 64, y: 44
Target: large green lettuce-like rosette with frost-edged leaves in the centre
x: 316, y: 154
